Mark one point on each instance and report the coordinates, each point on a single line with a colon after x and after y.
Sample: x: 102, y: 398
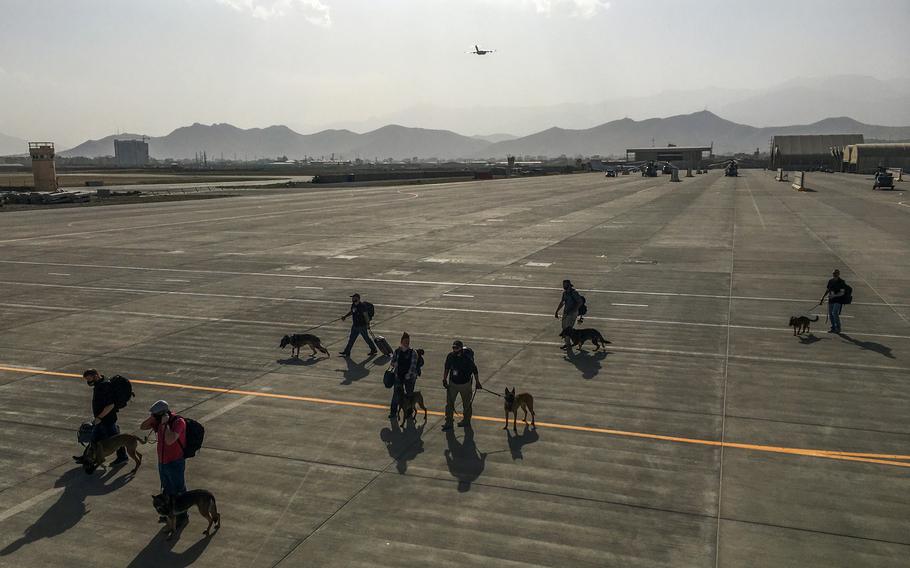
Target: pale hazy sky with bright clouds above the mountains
x: 77, y: 69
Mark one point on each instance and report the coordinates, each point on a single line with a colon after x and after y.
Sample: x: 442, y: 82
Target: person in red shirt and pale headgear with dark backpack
x: 171, y: 431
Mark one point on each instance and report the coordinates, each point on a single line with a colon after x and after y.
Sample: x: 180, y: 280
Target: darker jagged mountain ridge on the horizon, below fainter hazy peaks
x: 394, y: 141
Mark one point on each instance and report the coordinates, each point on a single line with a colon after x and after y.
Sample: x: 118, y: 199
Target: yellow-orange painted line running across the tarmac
x: 883, y: 459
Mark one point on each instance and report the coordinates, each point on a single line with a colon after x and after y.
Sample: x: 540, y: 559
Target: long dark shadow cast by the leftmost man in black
x: 69, y: 508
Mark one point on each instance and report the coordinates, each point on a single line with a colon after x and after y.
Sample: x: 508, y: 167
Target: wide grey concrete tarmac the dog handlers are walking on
x: 706, y: 435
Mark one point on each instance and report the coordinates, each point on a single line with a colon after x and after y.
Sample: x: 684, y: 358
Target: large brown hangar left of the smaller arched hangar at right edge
x: 810, y: 151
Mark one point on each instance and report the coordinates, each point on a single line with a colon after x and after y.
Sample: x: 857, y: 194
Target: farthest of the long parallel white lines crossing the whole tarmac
x: 437, y: 282
